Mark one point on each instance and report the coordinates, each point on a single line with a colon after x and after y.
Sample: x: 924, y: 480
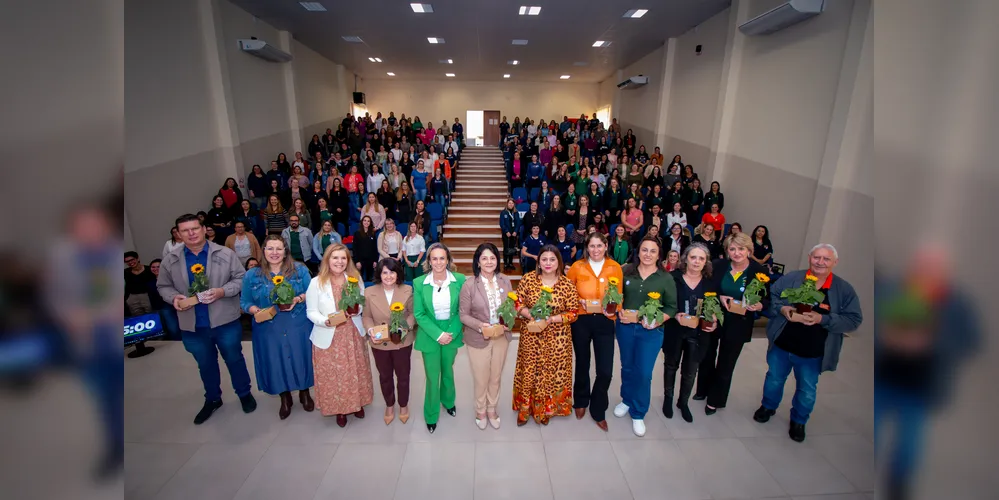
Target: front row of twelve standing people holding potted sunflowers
x: 316, y: 341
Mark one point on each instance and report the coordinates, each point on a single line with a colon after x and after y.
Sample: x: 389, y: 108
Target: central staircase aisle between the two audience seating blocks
x: 479, y: 196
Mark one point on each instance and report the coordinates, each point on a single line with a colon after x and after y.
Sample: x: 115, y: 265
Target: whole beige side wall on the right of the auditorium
x: 780, y: 121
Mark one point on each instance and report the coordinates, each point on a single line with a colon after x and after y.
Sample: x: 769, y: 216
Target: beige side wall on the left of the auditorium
x: 200, y: 110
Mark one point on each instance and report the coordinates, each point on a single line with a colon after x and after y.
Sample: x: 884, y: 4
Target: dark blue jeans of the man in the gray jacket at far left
x: 205, y: 344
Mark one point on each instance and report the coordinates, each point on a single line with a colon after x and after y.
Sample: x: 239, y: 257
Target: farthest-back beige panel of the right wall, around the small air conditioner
x: 639, y: 107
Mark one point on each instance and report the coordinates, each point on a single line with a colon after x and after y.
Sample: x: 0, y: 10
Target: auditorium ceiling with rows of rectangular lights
x: 478, y: 35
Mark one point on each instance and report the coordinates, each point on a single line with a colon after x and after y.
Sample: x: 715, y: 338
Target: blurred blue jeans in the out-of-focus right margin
x: 908, y: 409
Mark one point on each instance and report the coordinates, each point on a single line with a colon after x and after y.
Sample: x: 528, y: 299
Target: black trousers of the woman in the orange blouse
x: 598, y: 330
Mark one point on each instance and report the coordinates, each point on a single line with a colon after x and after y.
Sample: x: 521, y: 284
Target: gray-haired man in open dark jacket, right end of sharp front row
x: 807, y: 342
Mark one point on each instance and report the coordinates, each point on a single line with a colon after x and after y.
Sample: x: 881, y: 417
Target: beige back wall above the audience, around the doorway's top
x: 435, y: 101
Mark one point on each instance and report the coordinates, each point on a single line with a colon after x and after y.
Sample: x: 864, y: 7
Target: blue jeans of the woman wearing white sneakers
x: 639, y: 351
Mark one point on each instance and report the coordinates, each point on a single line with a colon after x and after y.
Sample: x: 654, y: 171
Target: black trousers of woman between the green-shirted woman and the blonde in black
x: 682, y: 350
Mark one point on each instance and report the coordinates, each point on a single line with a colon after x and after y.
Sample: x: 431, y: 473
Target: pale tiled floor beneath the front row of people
x: 726, y: 455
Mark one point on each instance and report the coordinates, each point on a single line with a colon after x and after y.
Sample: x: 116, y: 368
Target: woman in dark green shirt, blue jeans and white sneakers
x: 639, y: 343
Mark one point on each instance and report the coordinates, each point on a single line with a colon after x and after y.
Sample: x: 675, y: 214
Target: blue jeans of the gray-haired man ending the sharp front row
x: 806, y: 376
